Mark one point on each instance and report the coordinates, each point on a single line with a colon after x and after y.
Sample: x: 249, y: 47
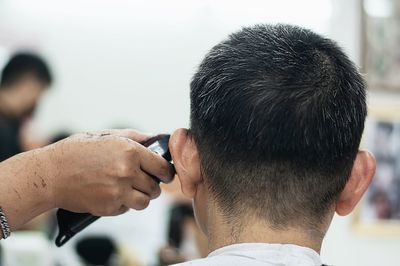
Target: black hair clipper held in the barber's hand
x: 71, y: 223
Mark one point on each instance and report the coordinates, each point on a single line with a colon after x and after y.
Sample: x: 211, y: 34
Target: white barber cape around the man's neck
x: 259, y: 254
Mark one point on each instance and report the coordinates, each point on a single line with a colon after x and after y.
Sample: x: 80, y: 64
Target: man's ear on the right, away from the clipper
x: 360, y: 178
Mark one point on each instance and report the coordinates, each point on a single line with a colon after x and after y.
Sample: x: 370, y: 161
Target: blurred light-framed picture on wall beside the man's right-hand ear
x: 379, y: 210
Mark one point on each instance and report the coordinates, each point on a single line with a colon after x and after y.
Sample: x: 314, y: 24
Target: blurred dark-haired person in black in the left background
x: 23, y: 80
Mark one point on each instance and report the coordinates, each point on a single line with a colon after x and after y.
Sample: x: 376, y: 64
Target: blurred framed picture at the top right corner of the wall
x: 381, y: 44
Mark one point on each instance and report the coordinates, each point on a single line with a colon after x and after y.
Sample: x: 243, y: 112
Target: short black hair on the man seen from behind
x: 277, y: 114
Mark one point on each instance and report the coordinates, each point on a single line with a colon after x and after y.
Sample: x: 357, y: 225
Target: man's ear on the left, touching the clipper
x: 186, y: 160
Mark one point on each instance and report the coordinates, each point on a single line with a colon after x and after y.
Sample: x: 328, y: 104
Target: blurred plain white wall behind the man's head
x: 129, y: 63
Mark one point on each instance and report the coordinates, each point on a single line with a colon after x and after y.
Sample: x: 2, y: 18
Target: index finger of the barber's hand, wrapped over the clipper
x: 155, y: 165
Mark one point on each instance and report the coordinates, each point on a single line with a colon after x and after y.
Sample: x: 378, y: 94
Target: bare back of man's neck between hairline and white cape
x: 222, y: 233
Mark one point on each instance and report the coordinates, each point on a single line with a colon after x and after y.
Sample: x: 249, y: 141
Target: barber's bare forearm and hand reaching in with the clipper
x: 100, y: 173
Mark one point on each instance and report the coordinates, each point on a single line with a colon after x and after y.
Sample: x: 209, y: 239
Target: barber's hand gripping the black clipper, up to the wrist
x: 106, y: 173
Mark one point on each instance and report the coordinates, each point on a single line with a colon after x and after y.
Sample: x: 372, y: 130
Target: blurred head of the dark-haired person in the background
x: 23, y: 80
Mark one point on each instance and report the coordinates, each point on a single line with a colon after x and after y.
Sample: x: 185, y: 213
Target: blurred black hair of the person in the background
x: 22, y: 64
